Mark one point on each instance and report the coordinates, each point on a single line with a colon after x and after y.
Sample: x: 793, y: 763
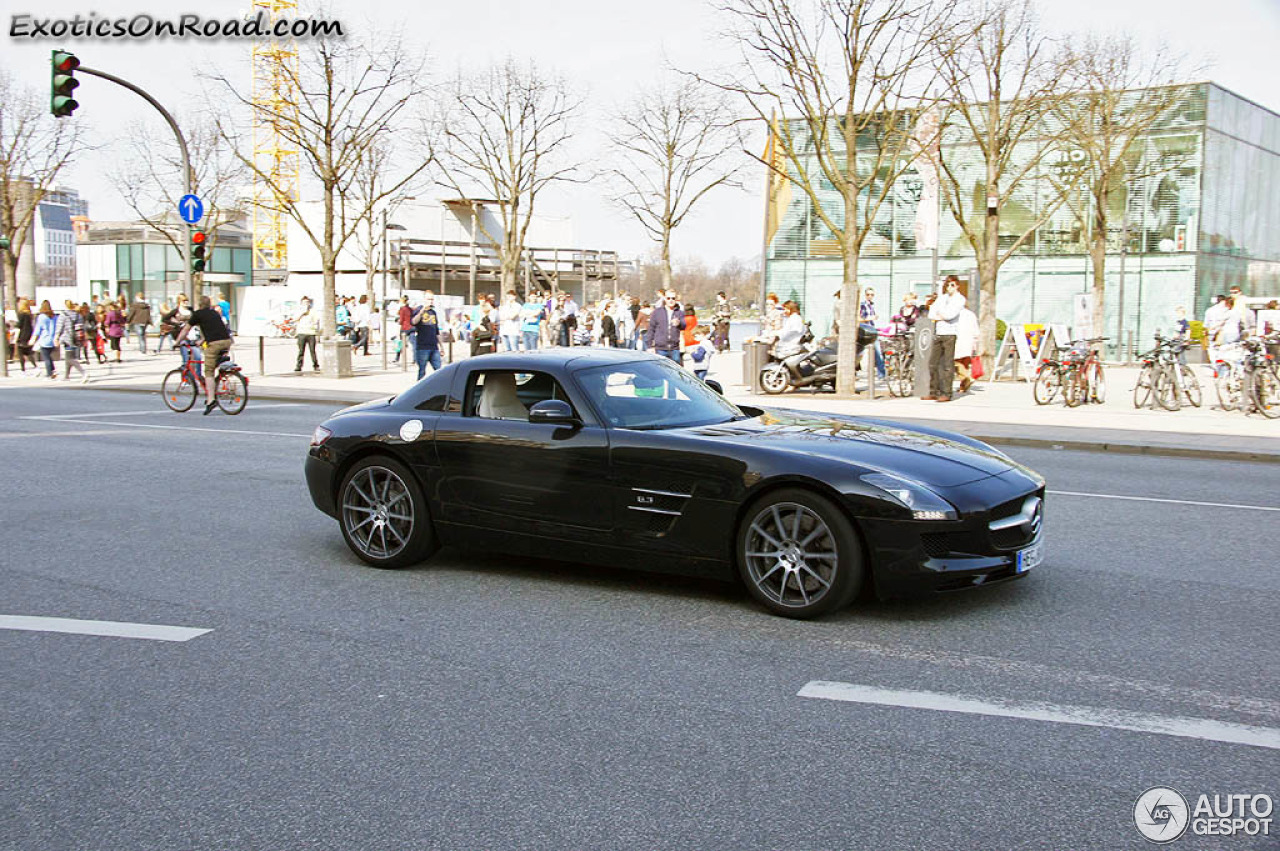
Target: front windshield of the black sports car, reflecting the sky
x: 653, y: 395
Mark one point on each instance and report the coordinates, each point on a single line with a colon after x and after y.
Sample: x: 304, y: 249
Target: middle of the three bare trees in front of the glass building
x: 1003, y: 80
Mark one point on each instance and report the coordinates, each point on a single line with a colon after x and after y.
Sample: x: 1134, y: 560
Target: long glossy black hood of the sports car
x: 930, y: 459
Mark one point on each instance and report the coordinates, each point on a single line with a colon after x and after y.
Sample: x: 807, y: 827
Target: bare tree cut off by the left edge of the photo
x: 35, y: 148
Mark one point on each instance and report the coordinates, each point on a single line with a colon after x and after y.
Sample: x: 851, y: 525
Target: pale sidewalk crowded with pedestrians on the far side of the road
x: 1002, y: 414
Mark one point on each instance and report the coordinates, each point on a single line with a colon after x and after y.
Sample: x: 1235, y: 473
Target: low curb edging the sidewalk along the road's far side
x: 1067, y: 445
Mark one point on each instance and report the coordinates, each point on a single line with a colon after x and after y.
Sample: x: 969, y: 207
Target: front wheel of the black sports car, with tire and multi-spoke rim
x: 806, y: 574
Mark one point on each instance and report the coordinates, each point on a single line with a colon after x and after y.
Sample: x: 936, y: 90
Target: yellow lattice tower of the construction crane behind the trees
x: 276, y: 71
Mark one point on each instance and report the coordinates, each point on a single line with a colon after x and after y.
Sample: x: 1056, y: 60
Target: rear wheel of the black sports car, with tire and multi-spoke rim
x: 371, y: 495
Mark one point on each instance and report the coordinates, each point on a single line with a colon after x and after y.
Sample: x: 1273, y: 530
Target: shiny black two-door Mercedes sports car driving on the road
x: 621, y: 457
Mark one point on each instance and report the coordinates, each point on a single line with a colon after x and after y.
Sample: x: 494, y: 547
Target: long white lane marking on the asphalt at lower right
x: 1203, y: 729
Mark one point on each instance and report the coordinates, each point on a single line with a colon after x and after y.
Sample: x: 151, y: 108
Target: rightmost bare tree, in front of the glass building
x: 1124, y: 95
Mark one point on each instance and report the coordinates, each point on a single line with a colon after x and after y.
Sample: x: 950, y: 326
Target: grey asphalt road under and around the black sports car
x: 479, y: 702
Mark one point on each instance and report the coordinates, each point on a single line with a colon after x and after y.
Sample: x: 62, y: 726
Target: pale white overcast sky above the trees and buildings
x: 605, y: 49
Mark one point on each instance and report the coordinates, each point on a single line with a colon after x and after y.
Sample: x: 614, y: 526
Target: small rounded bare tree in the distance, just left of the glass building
x: 675, y: 144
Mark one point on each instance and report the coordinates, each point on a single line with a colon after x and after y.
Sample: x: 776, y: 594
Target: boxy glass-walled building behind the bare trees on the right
x: 1197, y: 217
